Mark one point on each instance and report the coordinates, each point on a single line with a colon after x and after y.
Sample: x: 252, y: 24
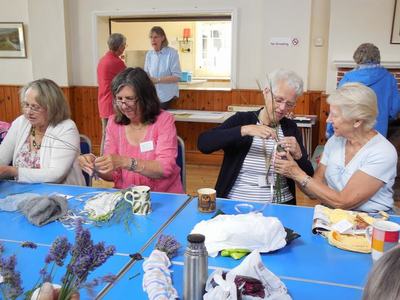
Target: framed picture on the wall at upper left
x: 12, y: 40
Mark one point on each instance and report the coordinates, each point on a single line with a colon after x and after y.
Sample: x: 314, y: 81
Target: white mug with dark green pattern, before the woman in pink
x: 139, y: 197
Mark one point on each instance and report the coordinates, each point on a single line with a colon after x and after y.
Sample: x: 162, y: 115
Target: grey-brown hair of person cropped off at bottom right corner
x: 383, y: 280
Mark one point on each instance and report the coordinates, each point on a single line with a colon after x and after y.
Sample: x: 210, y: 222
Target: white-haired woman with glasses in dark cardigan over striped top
x: 249, y: 141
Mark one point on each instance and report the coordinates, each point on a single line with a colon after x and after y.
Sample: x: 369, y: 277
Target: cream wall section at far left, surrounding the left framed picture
x: 47, y: 49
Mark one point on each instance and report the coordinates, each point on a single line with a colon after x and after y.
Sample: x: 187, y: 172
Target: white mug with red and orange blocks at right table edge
x: 383, y: 236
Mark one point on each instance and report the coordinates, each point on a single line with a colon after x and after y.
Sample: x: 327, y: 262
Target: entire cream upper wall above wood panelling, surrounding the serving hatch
x: 62, y: 42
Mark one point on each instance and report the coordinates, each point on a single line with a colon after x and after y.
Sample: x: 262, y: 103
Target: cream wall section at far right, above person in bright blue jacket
x: 353, y: 22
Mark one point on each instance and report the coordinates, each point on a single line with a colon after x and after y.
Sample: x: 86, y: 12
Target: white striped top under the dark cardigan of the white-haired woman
x: 250, y: 184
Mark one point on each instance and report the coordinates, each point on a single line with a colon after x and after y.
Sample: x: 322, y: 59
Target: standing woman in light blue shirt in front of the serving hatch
x: 163, y: 67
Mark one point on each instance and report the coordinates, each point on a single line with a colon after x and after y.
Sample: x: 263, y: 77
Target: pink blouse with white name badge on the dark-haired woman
x: 162, y: 136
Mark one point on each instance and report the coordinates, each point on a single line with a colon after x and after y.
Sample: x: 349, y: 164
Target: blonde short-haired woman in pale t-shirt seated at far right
x: 358, y: 166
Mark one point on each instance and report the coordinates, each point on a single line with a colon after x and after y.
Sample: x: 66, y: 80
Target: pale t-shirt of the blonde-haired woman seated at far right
x: 377, y: 158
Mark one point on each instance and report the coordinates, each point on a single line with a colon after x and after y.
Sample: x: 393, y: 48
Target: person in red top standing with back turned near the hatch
x: 109, y: 66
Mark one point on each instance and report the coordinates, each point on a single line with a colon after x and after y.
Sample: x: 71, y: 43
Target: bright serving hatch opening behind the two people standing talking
x: 206, y: 52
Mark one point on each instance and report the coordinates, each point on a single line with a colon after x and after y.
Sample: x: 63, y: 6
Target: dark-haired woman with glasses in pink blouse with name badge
x: 141, y: 141
